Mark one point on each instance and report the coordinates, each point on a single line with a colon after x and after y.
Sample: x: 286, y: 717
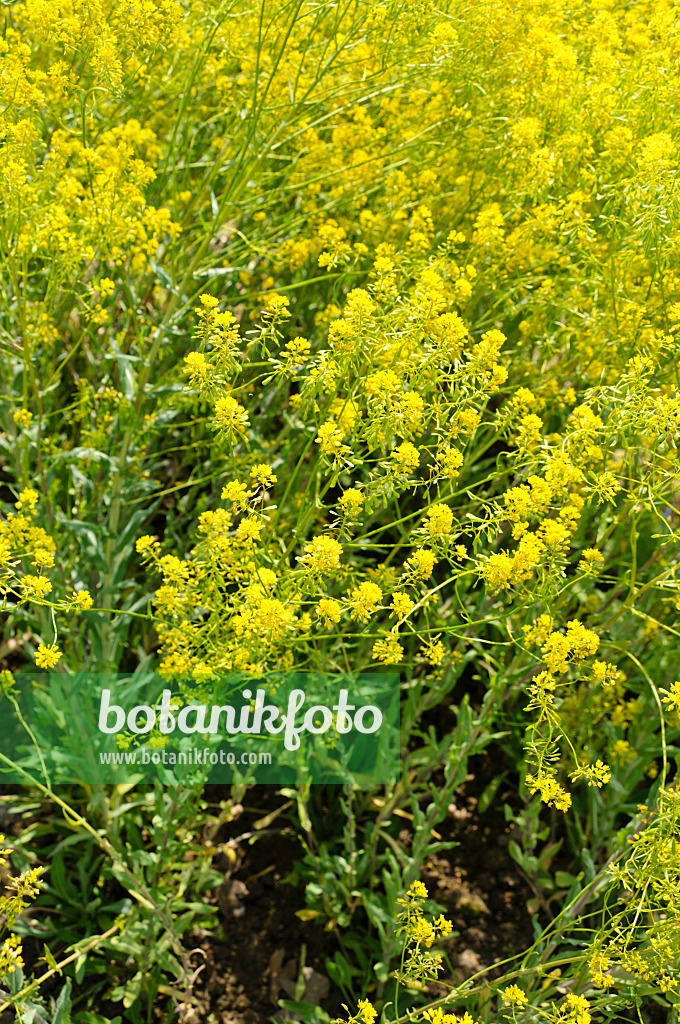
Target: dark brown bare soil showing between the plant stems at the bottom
x: 267, y: 948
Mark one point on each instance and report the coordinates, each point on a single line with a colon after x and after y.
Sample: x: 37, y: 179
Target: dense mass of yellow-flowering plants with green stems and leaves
x: 338, y: 336
